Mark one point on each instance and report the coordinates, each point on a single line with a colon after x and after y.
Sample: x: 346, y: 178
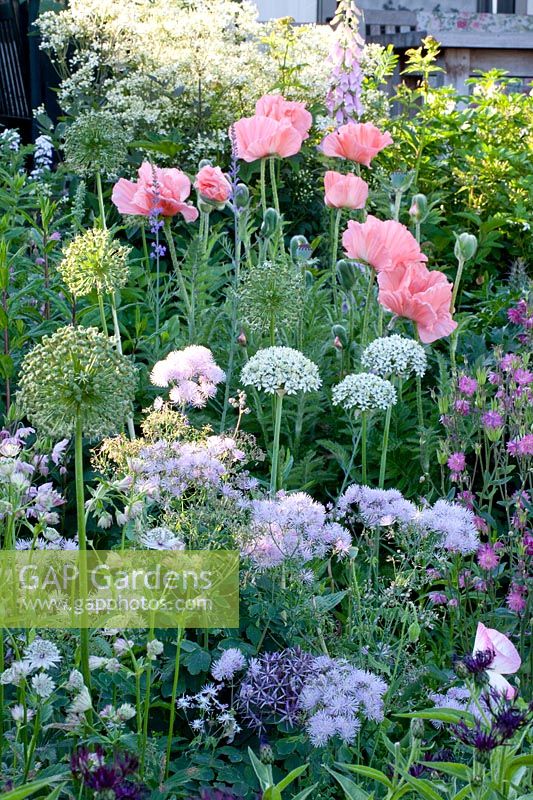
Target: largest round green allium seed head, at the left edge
x: 77, y: 371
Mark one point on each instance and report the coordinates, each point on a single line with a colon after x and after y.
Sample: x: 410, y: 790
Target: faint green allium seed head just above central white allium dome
x: 271, y: 295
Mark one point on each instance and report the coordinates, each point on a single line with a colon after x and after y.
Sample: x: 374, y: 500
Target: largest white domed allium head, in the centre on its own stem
x: 281, y: 370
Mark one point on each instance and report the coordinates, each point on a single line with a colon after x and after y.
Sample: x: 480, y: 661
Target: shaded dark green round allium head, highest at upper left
x: 96, y: 143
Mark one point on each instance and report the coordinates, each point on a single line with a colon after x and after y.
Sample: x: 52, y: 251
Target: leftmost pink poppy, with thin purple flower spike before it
x: 162, y: 191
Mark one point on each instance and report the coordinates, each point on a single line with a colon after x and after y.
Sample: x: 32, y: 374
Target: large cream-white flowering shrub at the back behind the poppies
x: 159, y: 65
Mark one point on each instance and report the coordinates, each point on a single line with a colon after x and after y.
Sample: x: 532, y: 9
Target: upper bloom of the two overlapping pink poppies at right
x: 383, y: 244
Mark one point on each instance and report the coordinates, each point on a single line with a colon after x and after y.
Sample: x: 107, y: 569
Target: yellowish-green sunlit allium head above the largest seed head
x: 94, y: 261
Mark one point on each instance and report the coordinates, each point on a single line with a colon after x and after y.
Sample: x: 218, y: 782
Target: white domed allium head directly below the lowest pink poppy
x: 394, y: 355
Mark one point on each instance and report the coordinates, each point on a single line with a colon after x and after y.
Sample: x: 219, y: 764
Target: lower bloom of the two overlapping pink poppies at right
x: 424, y: 296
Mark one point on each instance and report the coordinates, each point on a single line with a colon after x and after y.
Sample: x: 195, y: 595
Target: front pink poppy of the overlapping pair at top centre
x: 260, y: 137
